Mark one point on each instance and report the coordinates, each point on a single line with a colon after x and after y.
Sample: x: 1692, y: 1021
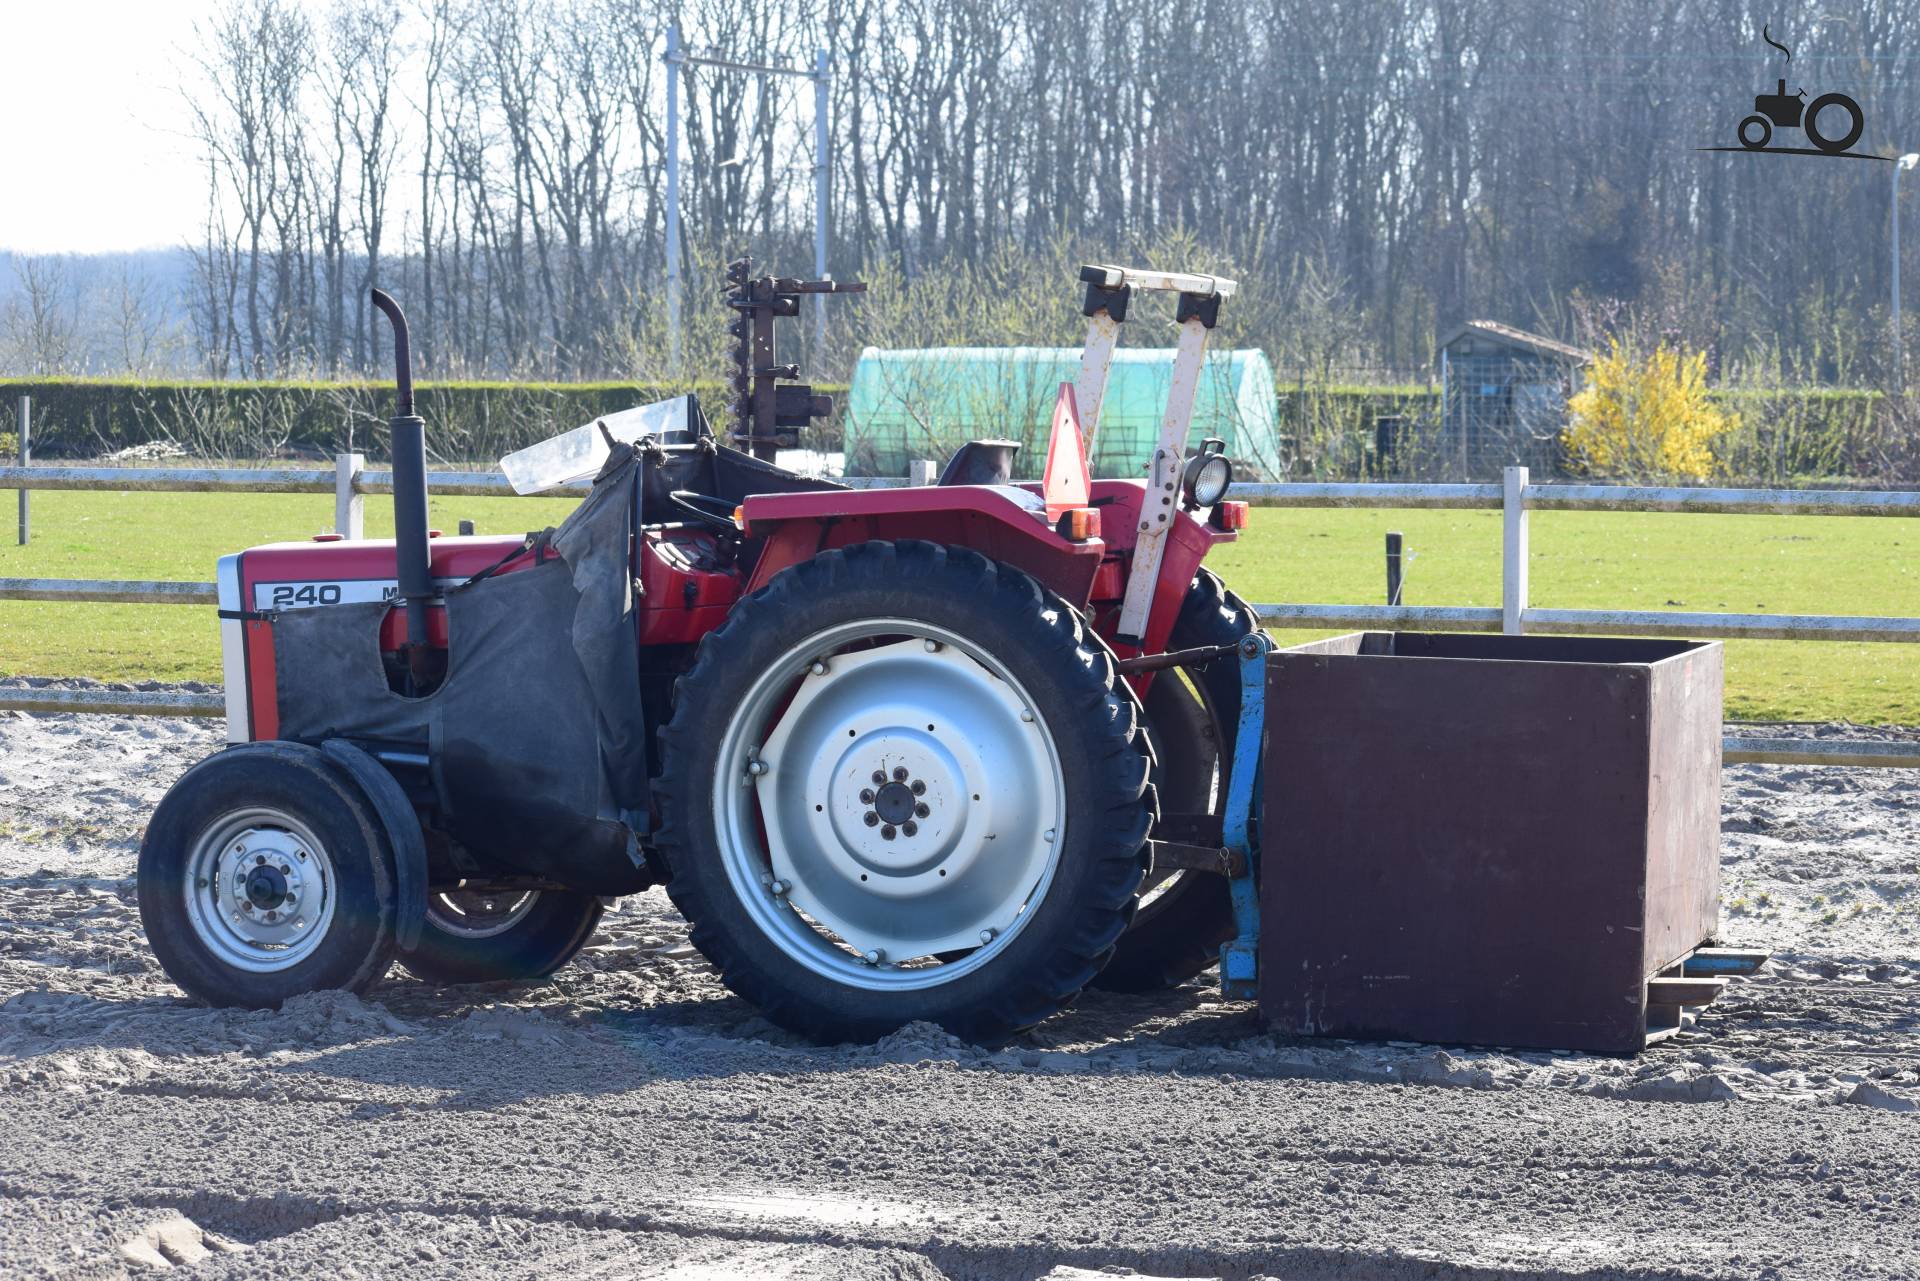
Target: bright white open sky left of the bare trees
x: 91, y: 114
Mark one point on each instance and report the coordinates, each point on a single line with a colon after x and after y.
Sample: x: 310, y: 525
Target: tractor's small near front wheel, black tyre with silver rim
x: 266, y: 875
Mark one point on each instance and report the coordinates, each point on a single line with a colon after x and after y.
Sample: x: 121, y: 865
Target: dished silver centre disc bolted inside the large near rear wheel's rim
x: 909, y: 800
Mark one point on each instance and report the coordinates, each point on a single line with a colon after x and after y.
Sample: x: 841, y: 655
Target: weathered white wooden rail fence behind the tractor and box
x: 1516, y: 498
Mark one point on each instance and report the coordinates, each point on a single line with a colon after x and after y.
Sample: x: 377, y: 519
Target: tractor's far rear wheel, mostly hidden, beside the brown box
x: 1188, y: 915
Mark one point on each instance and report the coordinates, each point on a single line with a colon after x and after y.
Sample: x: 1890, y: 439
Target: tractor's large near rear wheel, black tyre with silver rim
x: 901, y: 785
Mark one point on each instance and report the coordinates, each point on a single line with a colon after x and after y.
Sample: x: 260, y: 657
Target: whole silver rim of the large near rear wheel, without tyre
x: 890, y: 806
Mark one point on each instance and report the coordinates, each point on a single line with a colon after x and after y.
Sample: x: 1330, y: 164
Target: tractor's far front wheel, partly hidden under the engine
x: 477, y: 936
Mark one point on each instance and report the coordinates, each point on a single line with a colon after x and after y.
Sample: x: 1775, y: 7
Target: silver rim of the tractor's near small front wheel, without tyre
x: 260, y: 890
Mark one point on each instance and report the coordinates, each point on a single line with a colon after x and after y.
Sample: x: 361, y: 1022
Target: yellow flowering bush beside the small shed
x: 1646, y: 418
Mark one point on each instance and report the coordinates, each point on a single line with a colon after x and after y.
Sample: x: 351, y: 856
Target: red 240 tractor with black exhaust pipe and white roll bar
x: 898, y: 754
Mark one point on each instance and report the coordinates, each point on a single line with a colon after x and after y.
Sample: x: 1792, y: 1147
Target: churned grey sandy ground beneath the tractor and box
x: 635, y: 1121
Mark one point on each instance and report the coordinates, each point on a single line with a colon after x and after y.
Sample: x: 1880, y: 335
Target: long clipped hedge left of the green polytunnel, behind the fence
x: 466, y: 422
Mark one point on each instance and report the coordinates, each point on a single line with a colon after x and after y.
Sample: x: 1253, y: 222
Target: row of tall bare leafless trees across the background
x: 1439, y: 158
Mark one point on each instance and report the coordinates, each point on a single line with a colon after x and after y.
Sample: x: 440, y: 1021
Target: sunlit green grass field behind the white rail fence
x: 1581, y: 562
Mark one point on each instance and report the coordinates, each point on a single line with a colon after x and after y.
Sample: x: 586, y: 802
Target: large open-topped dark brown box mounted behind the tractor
x: 1491, y: 840
